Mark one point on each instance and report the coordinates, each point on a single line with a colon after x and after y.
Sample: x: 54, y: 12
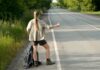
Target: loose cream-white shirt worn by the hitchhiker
x: 36, y: 35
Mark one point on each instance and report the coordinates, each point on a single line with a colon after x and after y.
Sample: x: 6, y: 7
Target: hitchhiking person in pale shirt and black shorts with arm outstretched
x: 36, y: 29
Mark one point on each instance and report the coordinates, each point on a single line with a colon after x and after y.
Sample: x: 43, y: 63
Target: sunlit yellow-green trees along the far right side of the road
x: 81, y: 5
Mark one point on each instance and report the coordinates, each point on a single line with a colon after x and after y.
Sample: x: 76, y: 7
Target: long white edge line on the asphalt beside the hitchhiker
x: 55, y: 46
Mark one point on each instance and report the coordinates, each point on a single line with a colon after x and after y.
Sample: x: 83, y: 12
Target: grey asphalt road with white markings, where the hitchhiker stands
x: 74, y: 45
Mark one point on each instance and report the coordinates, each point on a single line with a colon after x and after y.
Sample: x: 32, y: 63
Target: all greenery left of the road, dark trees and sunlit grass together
x: 14, y: 16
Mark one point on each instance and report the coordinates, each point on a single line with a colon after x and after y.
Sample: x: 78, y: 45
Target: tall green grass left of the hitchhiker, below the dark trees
x: 12, y: 38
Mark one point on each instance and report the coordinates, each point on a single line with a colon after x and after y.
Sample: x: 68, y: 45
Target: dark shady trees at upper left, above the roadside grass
x: 16, y: 8
